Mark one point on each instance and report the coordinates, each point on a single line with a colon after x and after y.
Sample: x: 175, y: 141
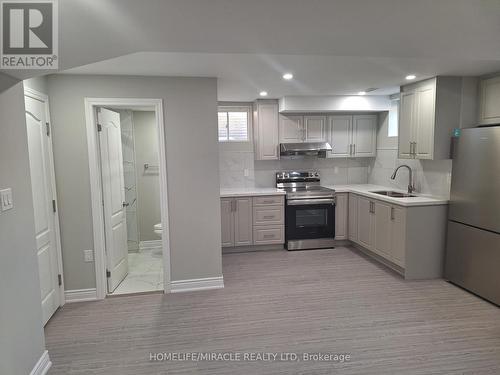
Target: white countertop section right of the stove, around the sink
x: 367, y: 191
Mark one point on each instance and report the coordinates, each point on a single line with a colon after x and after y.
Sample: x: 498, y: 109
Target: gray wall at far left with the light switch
x: 21, y: 331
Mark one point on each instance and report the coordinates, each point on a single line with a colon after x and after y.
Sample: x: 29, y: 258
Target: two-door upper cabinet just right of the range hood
x: 353, y: 136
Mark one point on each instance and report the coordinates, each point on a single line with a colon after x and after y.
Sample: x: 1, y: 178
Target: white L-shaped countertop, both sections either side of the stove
x: 361, y: 189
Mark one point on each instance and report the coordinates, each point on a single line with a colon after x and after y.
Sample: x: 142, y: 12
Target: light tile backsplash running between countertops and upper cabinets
x: 238, y: 169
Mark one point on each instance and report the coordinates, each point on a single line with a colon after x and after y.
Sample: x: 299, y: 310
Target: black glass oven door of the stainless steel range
x: 310, y: 219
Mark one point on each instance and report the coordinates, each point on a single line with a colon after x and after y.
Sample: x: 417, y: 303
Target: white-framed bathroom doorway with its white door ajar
x: 129, y: 196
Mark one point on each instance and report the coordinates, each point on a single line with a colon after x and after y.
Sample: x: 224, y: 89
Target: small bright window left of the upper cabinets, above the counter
x: 234, y: 124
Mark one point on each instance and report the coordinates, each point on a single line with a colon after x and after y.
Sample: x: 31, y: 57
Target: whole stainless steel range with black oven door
x: 309, y: 210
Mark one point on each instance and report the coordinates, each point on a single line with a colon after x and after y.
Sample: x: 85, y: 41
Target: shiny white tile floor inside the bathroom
x: 145, y: 273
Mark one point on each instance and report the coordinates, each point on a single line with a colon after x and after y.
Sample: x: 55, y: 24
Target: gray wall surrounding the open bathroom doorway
x: 190, y: 106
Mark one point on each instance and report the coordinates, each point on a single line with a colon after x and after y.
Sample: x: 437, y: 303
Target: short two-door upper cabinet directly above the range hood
x: 298, y: 128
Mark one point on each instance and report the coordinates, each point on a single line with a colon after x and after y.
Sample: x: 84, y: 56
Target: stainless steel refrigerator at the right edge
x: 473, y: 245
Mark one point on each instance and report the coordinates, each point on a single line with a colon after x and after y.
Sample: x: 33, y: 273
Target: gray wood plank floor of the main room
x: 329, y: 301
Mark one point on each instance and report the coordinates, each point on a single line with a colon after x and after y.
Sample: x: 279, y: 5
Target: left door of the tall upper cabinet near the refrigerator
x: 407, y: 106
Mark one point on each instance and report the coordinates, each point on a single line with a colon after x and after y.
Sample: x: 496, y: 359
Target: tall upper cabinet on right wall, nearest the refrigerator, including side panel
x: 429, y: 111
